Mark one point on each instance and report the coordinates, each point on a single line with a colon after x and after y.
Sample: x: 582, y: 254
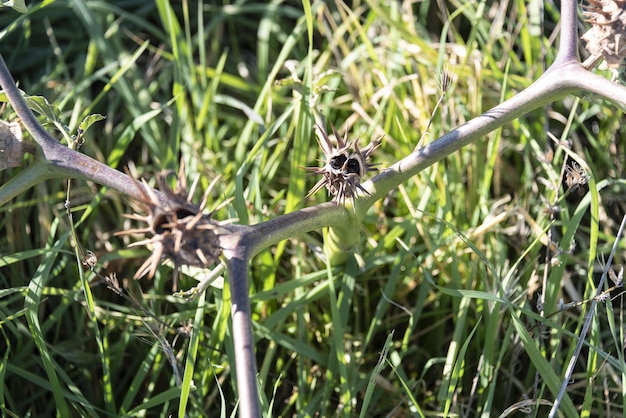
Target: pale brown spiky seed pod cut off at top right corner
x: 607, y: 36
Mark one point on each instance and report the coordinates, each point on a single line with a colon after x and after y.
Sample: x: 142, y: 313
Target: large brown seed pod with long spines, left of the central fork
x: 177, y: 229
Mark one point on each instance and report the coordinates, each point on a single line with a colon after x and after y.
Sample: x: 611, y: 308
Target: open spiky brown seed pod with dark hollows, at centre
x: 344, y: 166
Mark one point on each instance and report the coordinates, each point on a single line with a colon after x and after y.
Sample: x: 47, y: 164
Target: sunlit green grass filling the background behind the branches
x: 437, y: 314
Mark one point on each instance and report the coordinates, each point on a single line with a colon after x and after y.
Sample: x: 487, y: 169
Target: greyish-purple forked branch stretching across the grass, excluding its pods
x: 240, y: 243
